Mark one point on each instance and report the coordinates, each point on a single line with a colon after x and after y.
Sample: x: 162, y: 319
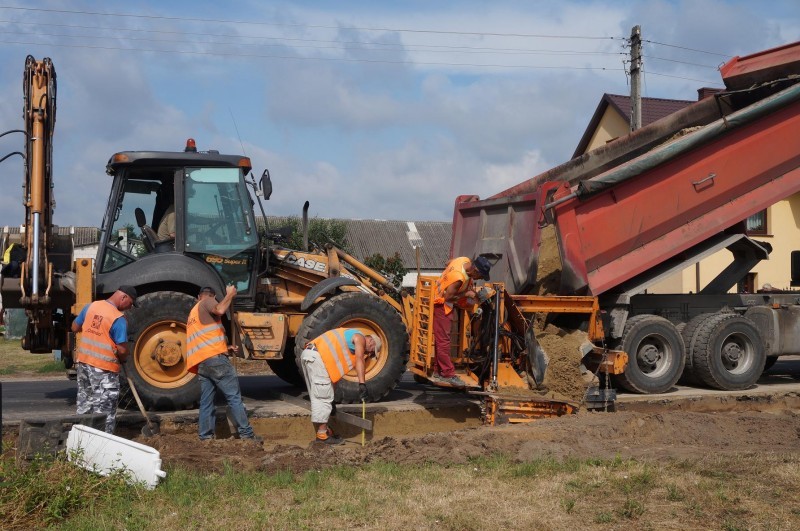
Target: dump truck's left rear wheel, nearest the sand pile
x: 656, y: 355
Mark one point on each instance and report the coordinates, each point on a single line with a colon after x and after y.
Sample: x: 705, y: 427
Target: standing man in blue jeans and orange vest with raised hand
x: 207, y: 356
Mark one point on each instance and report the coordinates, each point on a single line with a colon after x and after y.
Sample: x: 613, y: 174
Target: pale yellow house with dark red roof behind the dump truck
x: 777, y: 225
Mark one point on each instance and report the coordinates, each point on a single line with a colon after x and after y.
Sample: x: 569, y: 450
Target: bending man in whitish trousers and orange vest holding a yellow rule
x: 324, y: 361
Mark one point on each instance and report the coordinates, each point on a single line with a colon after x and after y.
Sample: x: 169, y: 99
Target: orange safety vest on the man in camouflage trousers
x: 96, y: 348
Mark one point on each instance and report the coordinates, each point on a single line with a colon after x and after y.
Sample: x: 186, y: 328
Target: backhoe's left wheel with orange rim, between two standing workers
x: 157, y: 359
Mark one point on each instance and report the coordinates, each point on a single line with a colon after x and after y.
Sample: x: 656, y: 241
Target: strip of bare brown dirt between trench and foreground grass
x: 667, y: 435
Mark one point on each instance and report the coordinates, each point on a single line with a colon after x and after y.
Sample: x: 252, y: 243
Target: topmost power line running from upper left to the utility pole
x: 313, y: 26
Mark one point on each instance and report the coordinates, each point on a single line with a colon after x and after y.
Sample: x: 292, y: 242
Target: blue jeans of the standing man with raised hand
x: 215, y: 374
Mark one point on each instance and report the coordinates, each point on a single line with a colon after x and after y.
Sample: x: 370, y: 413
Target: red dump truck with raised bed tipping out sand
x: 648, y: 205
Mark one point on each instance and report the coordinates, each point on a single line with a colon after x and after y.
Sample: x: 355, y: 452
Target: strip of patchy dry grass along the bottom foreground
x: 744, y: 492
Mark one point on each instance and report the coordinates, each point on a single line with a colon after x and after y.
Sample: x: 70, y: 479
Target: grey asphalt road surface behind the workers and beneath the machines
x: 54, y: 398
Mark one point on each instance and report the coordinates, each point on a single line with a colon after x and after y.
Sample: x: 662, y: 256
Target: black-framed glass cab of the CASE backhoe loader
x: 191, y: 204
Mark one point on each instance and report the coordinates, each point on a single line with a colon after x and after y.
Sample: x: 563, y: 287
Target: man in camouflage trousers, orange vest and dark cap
x: 102, y: 350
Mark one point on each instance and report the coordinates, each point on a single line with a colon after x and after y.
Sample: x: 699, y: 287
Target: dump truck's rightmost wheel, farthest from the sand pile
x: 729, y: 352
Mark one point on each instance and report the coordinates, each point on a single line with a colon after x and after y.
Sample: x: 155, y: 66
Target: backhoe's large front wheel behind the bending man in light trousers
x: 374, y: 316
